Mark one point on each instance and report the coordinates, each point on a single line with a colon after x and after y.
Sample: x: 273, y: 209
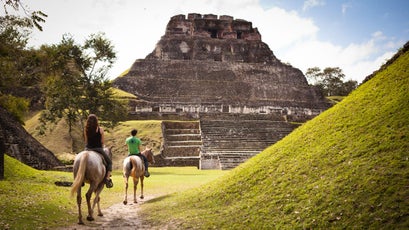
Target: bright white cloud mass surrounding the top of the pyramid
x: 135, y: 27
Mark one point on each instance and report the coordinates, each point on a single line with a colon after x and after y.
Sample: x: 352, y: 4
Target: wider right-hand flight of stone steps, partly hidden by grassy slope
x: 231, y: 139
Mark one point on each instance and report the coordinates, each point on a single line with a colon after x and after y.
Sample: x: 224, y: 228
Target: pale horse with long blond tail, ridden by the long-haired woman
x: 89, y: 168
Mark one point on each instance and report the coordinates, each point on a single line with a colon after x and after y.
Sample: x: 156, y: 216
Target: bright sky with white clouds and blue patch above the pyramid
x: 357, y: 36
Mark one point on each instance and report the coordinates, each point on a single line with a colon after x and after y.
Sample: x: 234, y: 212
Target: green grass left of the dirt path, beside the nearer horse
x: 30, y: 199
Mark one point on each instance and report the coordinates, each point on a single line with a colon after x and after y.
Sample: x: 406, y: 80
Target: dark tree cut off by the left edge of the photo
x: 15, y: 64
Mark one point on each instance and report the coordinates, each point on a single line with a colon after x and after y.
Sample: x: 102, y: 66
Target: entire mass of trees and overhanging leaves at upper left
x: 68, y: 79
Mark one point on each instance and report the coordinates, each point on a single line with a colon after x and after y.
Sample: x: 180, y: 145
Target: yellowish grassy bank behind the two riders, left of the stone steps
x: 64, y: 146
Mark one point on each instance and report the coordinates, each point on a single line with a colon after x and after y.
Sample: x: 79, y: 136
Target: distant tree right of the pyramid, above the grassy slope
x: 330, y: 81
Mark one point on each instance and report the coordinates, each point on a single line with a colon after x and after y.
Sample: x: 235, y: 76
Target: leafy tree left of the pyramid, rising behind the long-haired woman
x: 78, y: 85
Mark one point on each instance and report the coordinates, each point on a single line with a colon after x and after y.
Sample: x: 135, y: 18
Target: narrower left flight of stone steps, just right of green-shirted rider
x: 181, y: 144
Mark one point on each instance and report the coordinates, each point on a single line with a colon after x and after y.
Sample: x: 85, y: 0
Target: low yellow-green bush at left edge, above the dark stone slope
x: 17, y: 106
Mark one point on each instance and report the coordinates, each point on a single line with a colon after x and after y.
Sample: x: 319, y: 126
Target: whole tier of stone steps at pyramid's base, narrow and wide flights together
x: 219, y: 141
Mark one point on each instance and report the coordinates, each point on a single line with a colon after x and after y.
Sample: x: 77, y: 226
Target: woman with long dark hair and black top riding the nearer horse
x: 94, y: 140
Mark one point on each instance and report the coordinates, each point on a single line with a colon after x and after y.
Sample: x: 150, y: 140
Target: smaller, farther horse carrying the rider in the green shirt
x: 133, y: 166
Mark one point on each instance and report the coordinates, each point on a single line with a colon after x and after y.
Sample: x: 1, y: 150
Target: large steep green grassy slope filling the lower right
x: 347, y: 168
